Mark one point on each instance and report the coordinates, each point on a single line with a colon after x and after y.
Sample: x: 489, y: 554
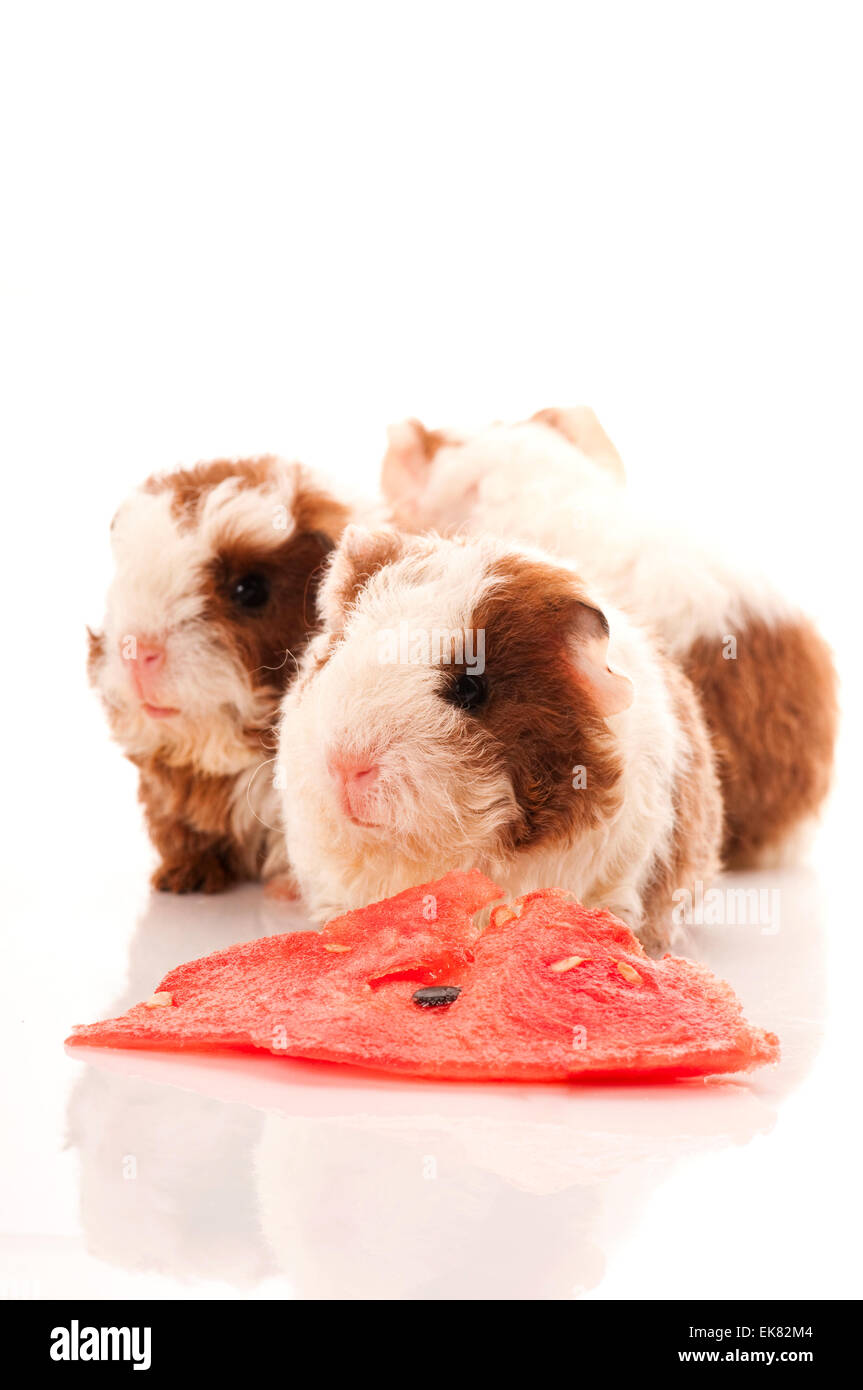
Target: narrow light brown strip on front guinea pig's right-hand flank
x: 698, y: 819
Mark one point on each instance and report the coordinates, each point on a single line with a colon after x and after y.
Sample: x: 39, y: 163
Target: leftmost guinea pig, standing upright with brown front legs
x: 212, y: 604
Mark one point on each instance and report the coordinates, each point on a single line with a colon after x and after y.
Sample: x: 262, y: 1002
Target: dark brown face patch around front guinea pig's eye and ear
x: 539, y: 719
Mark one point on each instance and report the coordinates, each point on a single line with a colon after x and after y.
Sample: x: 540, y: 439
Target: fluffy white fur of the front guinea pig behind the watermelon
x: 437, y: 810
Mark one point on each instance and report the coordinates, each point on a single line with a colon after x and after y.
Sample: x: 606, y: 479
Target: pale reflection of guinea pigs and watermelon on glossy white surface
x: 347, y: 1185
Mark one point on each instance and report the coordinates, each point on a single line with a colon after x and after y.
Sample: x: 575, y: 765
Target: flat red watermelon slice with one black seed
x: 550, y: 992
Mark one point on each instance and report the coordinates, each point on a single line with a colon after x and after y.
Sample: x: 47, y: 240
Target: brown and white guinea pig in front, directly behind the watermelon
x: 470, y: 704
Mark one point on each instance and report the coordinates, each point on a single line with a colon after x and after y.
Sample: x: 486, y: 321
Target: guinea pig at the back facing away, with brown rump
x: 765, y: 678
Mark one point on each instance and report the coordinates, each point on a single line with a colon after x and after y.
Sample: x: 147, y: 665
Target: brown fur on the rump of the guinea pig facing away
x: 773, y: 718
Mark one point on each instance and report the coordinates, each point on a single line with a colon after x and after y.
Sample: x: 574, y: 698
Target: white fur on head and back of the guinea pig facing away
x: 532, y: 484
